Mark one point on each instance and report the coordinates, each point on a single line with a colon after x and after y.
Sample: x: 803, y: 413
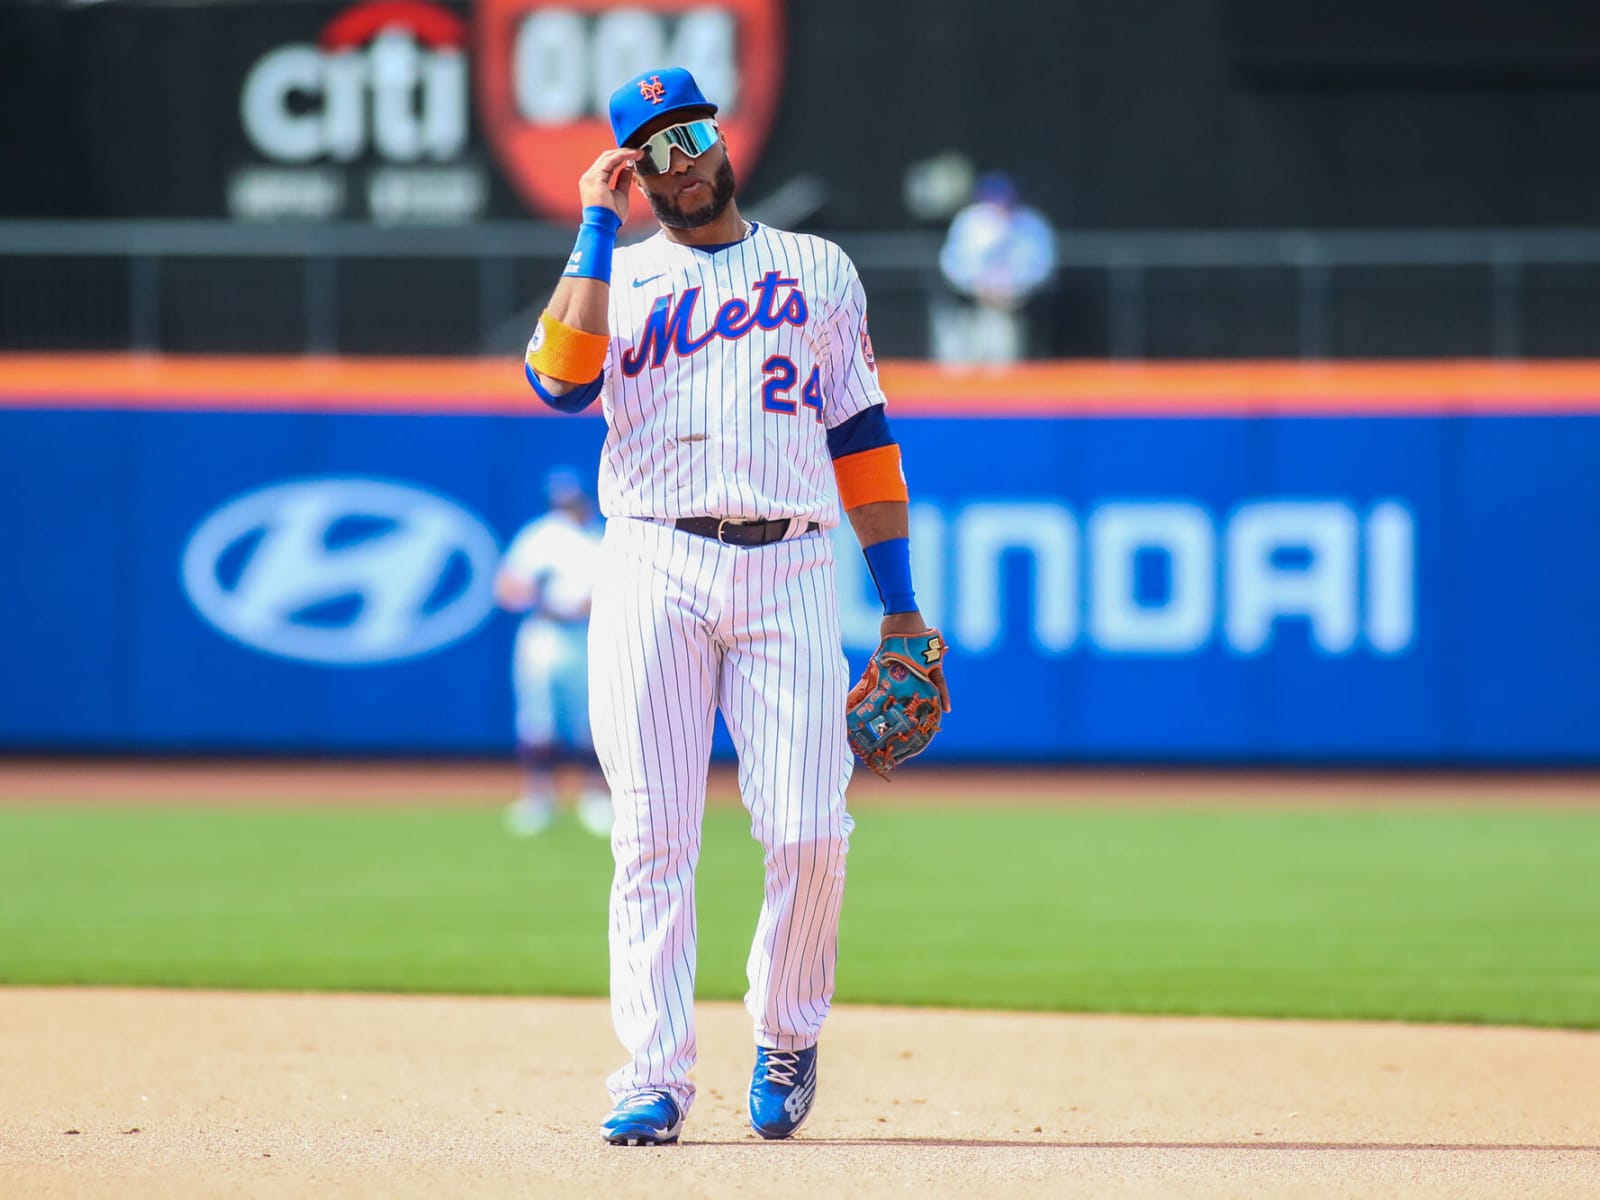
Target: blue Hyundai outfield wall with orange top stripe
x: 1225, y: 564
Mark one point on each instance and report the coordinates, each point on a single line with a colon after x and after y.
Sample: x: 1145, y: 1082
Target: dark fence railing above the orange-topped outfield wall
x: 356, y: 289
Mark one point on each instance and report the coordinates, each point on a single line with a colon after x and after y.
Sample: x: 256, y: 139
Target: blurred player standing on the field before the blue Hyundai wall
x: 548, y: 574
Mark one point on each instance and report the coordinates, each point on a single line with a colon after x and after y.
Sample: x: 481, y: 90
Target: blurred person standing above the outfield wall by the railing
x: 999, y: 252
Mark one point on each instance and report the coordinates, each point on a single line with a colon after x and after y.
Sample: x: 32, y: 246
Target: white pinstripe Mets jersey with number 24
x: 726, y: 372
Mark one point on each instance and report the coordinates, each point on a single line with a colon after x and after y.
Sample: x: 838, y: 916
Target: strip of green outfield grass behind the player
x: 1420, y: 914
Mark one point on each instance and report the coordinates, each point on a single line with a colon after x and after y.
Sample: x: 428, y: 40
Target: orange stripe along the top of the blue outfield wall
x: 1033, y: 390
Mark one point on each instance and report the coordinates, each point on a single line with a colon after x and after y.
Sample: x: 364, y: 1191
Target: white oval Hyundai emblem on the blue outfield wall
x: 342, y: 570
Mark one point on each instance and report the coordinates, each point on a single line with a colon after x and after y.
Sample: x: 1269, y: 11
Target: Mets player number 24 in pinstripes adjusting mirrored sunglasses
x: 745, y: 414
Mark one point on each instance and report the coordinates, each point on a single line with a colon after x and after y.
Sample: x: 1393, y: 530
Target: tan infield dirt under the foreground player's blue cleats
x: 122, y: 1094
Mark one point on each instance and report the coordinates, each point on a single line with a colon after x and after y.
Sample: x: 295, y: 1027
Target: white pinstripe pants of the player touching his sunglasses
x: 684, y: 625
